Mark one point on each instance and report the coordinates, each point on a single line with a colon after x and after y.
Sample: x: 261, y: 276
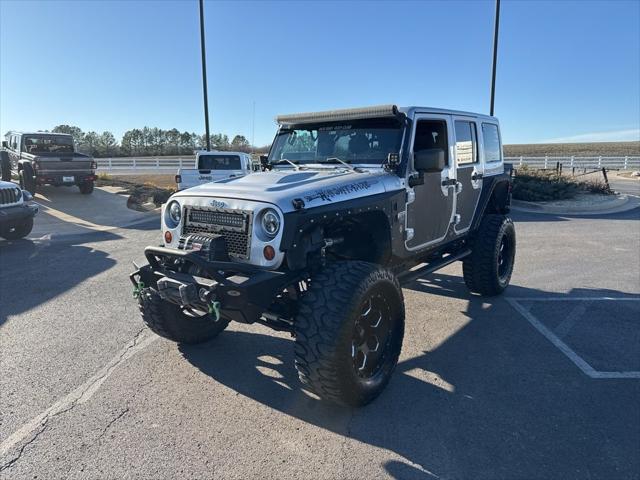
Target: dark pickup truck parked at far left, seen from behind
x: 44, y: 158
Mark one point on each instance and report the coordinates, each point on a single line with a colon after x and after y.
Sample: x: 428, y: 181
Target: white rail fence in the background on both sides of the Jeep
x: 149, y: 165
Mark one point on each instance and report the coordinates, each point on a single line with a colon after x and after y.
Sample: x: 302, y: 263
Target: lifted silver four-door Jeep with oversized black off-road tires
x: 352, y: 204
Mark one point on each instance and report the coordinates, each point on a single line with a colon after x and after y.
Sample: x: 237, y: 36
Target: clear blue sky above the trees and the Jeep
x: 567, y: 70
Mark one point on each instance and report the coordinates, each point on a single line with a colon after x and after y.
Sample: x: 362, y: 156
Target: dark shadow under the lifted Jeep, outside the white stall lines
x: 515, y: 407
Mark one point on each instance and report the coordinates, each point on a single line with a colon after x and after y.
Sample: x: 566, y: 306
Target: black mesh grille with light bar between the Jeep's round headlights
x: 233, y: 225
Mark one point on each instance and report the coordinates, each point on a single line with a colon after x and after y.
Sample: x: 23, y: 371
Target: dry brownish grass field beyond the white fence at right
x: 606, y: 149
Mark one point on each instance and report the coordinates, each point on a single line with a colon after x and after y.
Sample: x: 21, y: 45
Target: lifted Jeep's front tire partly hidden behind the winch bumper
x: 171, y: 321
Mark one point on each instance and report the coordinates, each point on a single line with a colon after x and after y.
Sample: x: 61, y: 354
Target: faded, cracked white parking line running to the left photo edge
x: 78, y: 396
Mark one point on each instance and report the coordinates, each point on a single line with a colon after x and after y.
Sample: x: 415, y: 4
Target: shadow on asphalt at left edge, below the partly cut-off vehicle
x: 54, y: 268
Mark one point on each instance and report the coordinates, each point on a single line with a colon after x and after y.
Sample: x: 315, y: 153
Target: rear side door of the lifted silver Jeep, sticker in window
x: 469, y: 171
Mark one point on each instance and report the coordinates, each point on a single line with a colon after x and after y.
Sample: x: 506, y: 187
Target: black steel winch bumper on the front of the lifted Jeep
x: 243, y: 292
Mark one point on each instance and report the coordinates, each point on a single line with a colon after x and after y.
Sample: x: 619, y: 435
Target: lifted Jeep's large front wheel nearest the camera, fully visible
x: 349, y: 332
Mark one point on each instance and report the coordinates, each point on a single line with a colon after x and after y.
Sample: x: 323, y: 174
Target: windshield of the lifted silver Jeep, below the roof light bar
x: 362, y: 141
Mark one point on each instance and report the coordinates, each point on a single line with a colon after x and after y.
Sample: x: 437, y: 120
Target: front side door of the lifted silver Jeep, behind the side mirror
x: 431, y: 203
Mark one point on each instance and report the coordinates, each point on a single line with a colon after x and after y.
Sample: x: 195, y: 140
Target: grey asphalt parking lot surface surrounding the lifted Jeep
x: 542, y: 382
